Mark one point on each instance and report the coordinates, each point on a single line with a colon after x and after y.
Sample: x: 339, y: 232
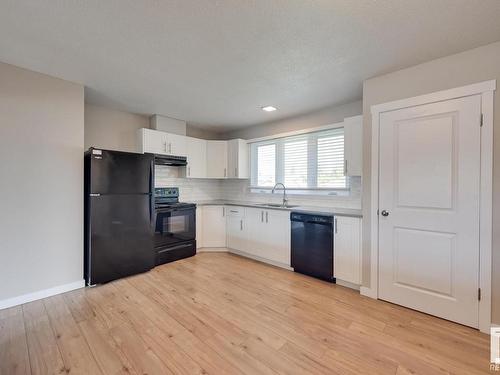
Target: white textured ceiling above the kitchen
x: 215, y: 63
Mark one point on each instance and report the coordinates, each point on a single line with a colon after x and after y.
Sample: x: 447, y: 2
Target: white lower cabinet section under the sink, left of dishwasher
x: 260, y: 233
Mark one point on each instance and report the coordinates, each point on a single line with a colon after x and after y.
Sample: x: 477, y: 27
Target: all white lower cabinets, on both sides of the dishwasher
x: 265, y: 235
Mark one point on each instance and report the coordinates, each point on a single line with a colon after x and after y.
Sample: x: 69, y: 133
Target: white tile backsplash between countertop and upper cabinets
x: 192, y: 190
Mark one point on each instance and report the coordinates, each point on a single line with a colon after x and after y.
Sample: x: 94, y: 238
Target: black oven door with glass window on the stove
x: 174, y: 226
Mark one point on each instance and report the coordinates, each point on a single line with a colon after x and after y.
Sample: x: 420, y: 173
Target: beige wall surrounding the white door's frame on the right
x: 465, y: 68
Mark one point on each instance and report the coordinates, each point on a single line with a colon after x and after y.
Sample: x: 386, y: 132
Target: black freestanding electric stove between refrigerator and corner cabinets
x: 175, y: 226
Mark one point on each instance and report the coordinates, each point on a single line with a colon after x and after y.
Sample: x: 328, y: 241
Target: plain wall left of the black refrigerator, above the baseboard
x: 41, y: 182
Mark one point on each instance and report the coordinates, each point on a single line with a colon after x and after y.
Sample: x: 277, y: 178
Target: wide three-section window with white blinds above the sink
x: 307, y: 162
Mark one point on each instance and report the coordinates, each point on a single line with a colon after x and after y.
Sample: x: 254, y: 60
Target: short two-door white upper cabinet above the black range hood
x: 158, y: 142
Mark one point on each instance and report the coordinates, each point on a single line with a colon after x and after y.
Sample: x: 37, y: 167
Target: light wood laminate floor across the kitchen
x: 218, y: 313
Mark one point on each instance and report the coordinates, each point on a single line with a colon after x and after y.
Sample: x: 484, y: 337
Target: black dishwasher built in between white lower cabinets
x: 312, y: 245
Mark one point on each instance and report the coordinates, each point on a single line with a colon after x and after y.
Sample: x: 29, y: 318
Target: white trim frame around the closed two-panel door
x: 486, y: 90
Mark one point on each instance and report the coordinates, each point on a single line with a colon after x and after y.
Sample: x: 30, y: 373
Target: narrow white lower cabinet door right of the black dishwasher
x: 347, y: 249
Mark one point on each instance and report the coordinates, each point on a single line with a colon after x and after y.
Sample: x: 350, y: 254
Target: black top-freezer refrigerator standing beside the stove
x: 118, y: 205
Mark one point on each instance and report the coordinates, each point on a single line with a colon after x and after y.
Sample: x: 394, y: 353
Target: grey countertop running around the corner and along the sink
x: 304, y: 209
